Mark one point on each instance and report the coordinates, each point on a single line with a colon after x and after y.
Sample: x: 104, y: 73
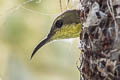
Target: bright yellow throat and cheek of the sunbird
x: 68, y: 31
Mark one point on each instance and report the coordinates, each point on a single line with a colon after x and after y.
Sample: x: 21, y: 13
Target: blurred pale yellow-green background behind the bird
x: 23, y: 24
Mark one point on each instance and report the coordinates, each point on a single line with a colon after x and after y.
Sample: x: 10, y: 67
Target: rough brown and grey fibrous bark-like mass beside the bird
x: 100, y: 40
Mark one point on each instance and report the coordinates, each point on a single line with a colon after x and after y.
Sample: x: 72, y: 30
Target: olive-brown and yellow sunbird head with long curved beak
x: 66, y: 25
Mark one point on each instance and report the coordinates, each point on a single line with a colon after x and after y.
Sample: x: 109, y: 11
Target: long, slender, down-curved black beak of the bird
x: 46, y: 40
